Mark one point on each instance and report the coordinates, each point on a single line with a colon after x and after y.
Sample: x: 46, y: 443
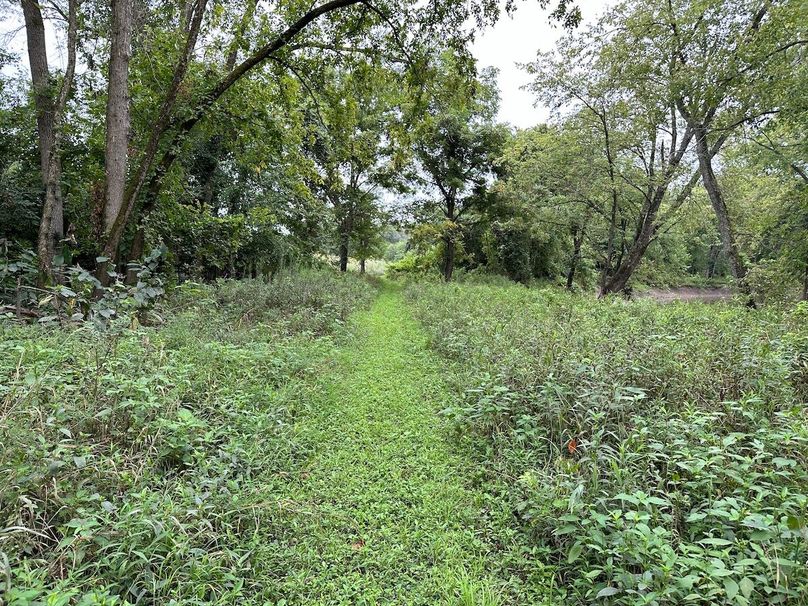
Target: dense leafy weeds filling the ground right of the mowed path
x: 649, y: 454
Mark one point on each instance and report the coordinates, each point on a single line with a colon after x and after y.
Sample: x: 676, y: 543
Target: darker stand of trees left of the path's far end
x: 239, y: 134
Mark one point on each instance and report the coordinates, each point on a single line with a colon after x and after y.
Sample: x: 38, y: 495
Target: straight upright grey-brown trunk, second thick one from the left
x: 117, y: 118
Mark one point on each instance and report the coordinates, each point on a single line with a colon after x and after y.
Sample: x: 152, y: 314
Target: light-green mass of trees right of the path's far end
x: 676, y: 153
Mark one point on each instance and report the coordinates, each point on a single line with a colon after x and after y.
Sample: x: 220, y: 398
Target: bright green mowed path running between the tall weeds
x: 383, y: 513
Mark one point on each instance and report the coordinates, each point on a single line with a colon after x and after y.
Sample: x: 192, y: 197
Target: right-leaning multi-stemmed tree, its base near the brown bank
x: 628, y: 109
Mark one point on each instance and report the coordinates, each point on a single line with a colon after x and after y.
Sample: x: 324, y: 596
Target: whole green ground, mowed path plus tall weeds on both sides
x: 320, y: 440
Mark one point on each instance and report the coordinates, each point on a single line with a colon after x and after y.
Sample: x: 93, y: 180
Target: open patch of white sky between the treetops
x: 515, y: 40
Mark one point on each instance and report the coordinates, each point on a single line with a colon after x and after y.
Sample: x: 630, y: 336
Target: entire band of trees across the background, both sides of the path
x: 244, y: 137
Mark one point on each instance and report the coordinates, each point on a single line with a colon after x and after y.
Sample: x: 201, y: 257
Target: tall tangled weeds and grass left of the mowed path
x: 138, y: 465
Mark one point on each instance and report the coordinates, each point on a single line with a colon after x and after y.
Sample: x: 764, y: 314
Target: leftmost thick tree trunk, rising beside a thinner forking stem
x: 51, y: 226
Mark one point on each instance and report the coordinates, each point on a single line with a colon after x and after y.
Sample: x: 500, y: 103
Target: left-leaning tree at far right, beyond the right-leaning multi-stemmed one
x: 721, y: 50
